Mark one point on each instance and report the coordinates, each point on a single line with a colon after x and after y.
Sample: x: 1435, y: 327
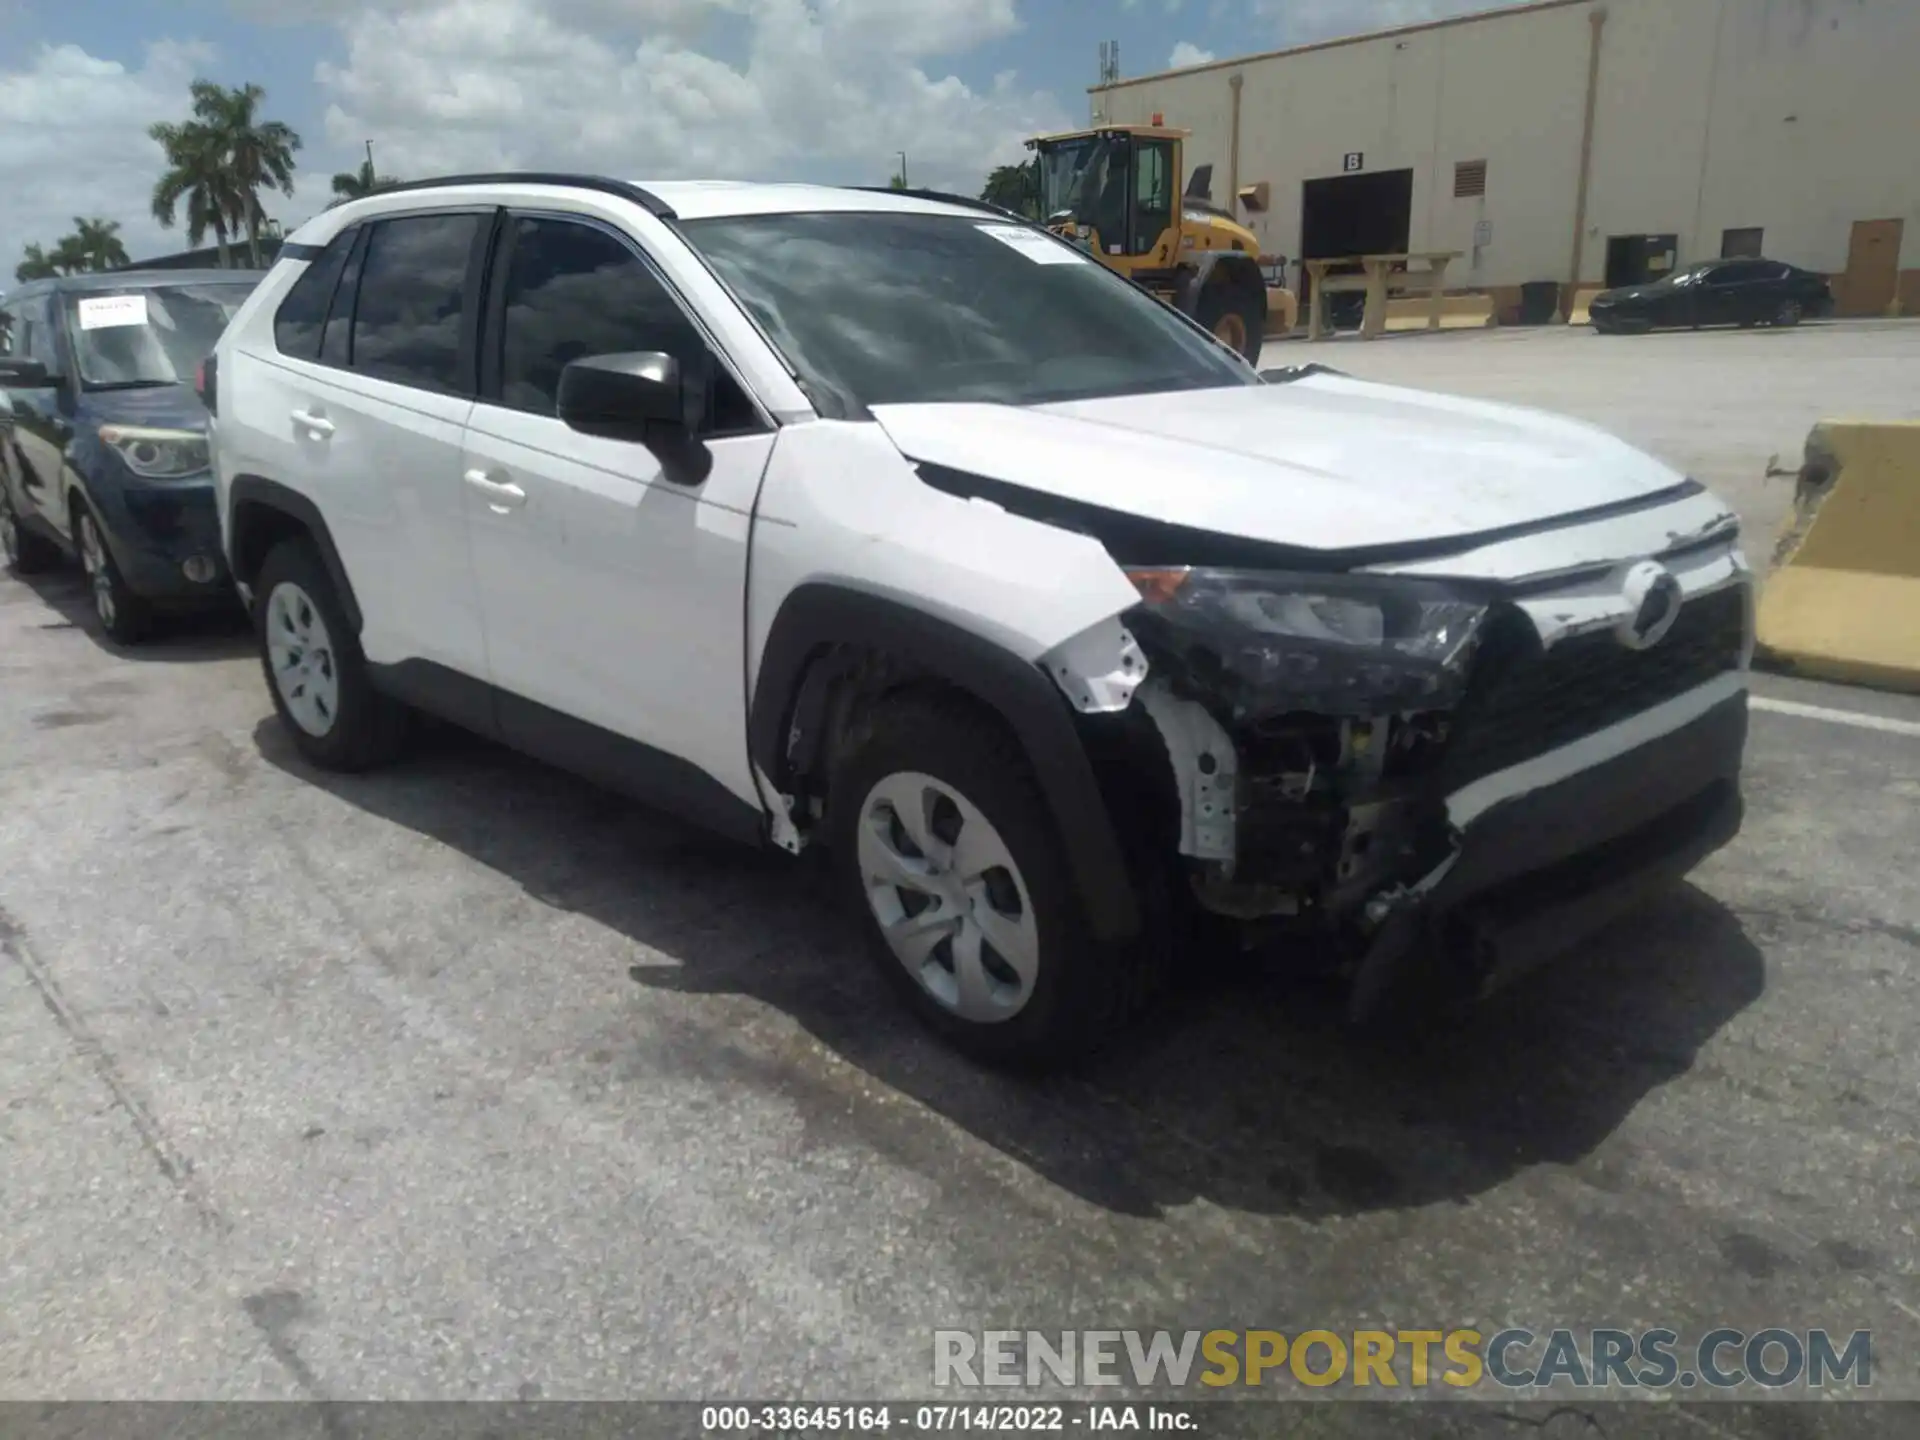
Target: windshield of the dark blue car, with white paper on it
x: 151, y: 337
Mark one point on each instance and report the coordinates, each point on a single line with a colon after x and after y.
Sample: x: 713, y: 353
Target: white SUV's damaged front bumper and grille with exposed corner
x: 1458, y: 834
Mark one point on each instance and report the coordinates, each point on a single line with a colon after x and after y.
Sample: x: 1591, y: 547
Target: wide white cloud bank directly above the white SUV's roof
x: 823, y: 89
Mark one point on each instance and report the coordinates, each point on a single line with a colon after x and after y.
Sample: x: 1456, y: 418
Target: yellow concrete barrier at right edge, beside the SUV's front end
x: 1844, y: 598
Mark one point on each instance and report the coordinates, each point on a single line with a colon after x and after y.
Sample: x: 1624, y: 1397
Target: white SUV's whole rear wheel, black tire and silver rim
x: 316, y: 669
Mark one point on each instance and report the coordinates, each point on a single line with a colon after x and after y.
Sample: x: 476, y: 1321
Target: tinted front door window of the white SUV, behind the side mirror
x: 577, y: 291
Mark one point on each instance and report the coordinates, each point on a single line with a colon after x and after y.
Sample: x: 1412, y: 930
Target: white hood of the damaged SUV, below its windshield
x: 1324, y: 464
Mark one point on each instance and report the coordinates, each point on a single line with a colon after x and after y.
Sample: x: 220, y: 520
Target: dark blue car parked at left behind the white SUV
x: 103, y: 439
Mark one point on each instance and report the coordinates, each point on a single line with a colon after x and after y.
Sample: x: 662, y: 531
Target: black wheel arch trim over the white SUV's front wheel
x: 823, y: 615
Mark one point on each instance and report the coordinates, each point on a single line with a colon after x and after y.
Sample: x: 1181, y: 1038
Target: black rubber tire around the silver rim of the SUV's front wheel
x: 1084, y: 992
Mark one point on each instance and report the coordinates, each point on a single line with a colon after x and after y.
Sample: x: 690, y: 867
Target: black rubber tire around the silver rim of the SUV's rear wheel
x: 368, y: 729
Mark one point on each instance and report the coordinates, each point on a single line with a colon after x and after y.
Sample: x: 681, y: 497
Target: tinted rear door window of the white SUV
x: 408, y: 312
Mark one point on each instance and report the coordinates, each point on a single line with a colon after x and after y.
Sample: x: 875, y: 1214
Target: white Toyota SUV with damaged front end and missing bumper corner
x: 892, y: 525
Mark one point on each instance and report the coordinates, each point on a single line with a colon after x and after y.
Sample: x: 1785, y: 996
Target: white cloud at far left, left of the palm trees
x: 74, y: 143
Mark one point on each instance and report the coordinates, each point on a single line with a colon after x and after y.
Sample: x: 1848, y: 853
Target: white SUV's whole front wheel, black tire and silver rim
x: 948, y: 853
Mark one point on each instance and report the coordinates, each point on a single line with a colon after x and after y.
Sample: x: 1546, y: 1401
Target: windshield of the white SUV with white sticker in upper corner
x: 890, y: 310
